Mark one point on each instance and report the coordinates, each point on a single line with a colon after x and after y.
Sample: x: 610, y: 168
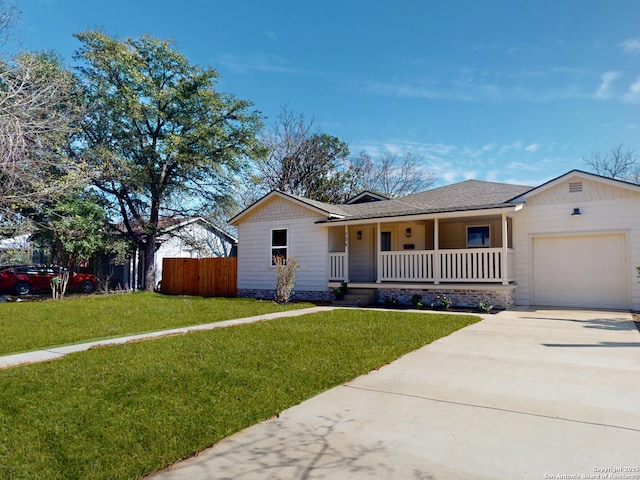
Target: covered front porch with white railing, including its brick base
x: 467, y: 257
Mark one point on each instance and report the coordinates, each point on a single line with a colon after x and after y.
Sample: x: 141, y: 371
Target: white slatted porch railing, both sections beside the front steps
x: 455, y: 265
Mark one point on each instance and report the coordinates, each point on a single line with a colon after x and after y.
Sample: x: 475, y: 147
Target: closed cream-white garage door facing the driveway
x: 580, y: 271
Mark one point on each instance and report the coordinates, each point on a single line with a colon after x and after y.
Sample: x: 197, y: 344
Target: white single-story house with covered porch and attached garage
x: 573, y: 241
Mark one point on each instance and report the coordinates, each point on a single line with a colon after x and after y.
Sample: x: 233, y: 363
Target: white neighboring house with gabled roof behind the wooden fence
x: 178, y: 238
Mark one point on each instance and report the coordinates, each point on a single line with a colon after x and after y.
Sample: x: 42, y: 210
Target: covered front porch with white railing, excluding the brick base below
x: 474, y: 247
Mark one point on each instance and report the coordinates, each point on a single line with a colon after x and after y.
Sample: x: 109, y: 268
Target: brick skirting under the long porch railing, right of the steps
x: 501, y: 297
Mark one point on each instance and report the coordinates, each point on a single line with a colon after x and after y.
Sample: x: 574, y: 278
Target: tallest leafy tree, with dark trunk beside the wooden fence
x: 160, y: 139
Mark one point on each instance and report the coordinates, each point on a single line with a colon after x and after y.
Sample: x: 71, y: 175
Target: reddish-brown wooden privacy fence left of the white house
x: 206, y: 277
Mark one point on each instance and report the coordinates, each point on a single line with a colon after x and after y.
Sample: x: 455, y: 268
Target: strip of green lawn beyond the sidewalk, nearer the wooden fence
x: 36, y: 325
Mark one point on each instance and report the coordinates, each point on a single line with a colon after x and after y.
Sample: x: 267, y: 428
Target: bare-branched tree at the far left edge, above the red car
x: 39, y: 104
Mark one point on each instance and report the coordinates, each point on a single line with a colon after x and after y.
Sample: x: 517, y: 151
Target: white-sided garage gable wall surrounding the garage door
x: 604, y: 210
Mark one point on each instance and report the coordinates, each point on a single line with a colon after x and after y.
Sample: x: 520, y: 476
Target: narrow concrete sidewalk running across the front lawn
x: 45, y: 355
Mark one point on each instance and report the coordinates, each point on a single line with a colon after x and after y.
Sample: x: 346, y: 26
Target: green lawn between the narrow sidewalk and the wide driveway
x: 122, y: 412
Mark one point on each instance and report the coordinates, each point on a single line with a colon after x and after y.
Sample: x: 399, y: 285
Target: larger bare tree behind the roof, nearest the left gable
x: 302, y: 160
